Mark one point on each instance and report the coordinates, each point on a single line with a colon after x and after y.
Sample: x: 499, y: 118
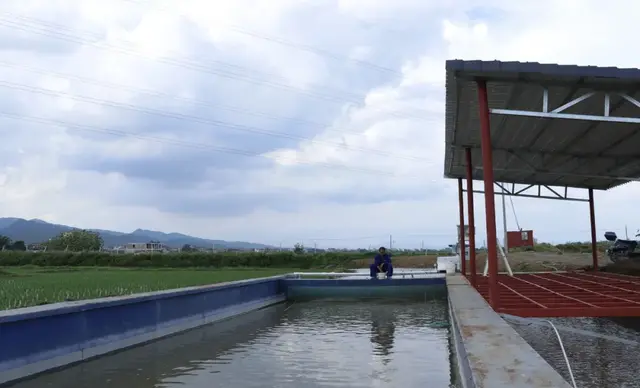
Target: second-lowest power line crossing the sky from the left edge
x: 196, y: 119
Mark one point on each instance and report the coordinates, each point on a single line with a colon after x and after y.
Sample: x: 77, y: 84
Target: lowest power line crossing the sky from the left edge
x: 181, y: 143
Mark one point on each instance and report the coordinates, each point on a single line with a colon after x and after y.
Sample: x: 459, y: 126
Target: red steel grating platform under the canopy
x: 570, y: 294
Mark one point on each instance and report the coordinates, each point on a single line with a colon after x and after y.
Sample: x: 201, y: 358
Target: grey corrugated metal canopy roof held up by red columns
x: 553, y: 125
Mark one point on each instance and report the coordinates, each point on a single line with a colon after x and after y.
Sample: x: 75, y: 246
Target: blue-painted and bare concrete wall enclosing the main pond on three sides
x: 489, y: 353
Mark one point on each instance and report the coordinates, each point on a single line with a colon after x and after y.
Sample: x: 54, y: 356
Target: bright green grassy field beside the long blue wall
x: 32, y: 286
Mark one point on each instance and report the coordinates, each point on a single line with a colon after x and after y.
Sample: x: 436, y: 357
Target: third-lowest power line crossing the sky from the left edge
x: 149, y: 92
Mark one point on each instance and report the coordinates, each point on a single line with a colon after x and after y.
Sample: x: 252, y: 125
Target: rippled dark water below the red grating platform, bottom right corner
x: 604, y: 353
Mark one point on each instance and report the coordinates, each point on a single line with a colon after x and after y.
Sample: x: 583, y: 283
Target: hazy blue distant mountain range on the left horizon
x: 35, y: 231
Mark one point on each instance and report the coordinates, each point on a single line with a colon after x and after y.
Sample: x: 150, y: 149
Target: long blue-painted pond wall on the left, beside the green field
x: 36, y: 339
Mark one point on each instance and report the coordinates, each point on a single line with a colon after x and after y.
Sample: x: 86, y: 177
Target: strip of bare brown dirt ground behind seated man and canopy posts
x: 519, y: 261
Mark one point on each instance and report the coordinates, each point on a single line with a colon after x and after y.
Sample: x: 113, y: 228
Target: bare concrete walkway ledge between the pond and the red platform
x: 491, y: 354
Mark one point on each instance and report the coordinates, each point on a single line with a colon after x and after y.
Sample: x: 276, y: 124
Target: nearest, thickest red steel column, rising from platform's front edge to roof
x: 489, y: 197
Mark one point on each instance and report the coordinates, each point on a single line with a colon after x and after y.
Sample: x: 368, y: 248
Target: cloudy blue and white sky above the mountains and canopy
x: 275, y: 121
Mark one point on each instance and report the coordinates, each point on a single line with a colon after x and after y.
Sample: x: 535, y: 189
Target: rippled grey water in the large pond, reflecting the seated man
x: 380, y: 343
